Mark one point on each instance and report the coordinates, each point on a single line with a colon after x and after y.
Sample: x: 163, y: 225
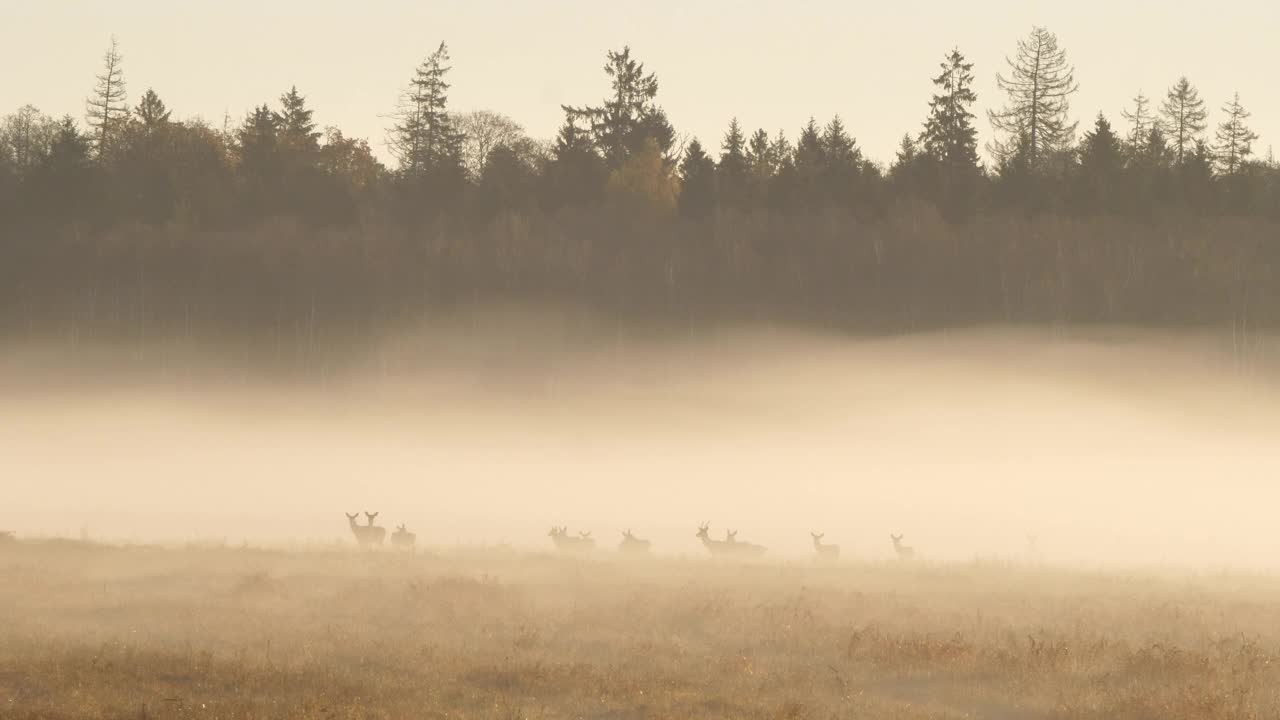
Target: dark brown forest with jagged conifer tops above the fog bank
x: 132, y: 221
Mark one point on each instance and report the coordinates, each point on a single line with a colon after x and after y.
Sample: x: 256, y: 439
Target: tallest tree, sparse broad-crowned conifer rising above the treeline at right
x: 1036, y: 119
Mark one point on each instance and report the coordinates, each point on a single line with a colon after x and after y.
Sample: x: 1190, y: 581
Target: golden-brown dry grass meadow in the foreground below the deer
x: 108, y: 632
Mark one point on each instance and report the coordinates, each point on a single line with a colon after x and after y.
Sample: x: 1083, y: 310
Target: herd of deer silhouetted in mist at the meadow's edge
x: 371, y: 536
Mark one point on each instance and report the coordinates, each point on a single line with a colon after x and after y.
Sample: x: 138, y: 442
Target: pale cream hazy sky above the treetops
x: 771, y: 65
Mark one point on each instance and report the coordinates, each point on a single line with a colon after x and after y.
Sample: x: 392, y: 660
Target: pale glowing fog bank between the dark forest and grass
x: 1112, y: 448
